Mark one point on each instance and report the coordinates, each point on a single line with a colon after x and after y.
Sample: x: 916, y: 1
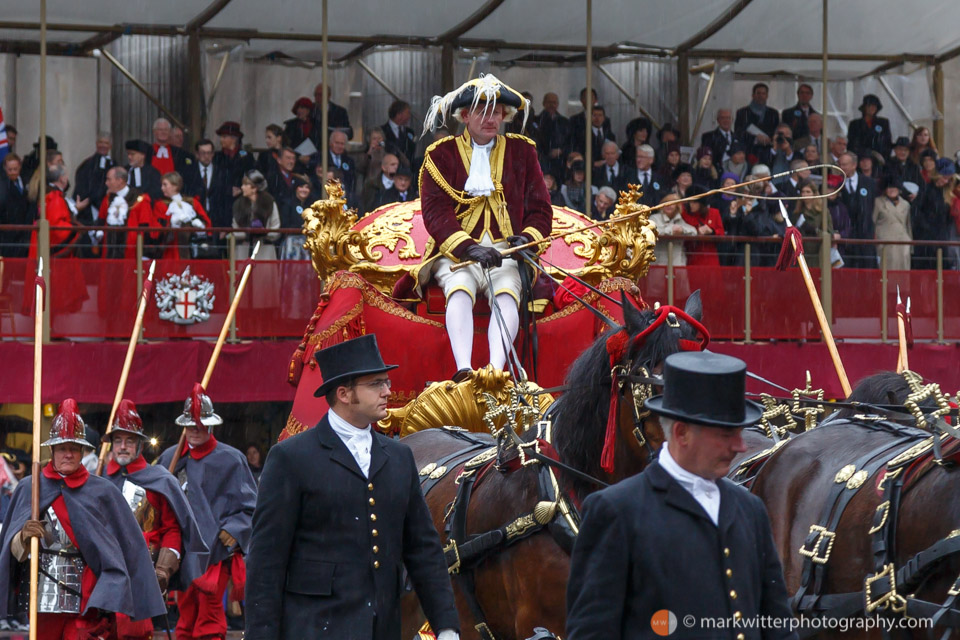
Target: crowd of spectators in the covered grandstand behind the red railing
x: 892, y: 189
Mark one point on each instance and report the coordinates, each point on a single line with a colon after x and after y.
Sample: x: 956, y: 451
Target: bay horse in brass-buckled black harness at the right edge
x: 859, y: 499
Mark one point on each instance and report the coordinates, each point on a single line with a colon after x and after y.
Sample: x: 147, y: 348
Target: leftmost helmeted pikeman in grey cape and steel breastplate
x: 93, y: 562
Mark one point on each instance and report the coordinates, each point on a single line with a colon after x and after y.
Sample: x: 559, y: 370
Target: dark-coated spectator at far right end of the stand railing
x: 933, y: 219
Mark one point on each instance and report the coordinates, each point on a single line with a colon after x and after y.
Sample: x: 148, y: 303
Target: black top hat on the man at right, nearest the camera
x: 705, y: 388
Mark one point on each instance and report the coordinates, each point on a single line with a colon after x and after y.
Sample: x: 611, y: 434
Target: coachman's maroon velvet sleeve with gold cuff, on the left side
x: 439, y: 212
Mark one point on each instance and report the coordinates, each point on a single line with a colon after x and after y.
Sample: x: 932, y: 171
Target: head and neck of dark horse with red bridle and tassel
x: 601, y: 426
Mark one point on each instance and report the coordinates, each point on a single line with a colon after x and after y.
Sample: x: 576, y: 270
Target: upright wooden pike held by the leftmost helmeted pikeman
x: 35, y: 453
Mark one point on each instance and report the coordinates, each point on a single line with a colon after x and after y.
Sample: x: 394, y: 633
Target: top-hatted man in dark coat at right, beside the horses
x: 680, y: 536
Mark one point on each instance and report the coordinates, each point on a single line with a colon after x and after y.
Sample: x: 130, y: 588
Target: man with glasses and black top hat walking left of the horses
x: 340, y: 516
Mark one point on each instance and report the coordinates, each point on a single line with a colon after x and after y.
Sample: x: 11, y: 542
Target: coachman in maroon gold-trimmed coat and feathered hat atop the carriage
x: 481, y: 192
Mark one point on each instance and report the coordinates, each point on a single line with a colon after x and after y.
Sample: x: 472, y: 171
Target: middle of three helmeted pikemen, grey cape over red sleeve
x: 168, y: 524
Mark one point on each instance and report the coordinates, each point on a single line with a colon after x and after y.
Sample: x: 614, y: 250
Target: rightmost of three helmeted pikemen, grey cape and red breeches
x: 223, y: 495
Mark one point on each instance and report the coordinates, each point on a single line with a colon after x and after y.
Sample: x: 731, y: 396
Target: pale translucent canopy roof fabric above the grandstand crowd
x: 292, y: 27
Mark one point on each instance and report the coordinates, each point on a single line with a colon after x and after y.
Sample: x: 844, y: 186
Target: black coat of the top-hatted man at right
x: 646, y: 544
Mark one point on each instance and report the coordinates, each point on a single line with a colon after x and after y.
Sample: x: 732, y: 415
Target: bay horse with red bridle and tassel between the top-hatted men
x: 519, y: 583
